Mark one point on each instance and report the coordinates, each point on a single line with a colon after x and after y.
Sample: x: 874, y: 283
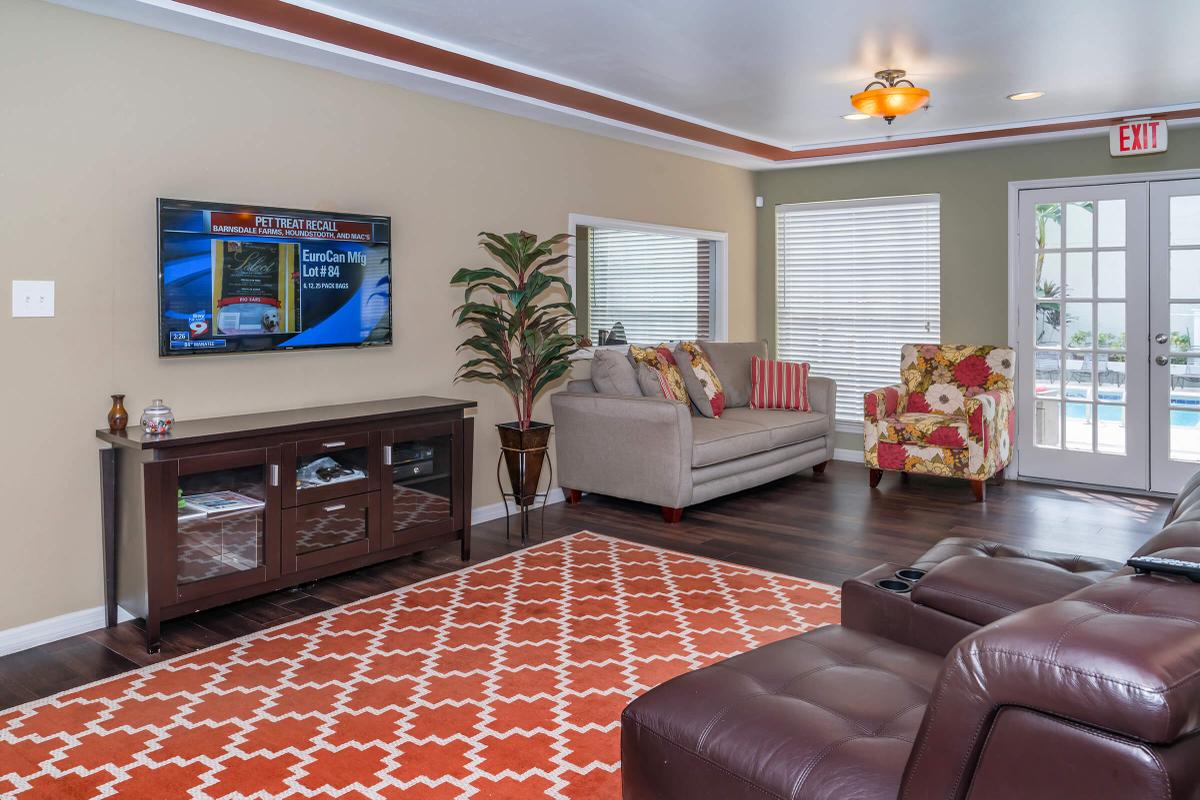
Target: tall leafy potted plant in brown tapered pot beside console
x: 520, y: 341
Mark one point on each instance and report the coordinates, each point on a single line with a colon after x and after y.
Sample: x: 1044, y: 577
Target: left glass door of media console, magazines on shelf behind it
x: 226, y: 512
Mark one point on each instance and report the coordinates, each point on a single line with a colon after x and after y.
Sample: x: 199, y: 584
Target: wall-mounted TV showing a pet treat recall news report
x: 239, y: 279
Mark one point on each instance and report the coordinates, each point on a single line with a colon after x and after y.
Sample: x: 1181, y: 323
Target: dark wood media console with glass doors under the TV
x: 225, y: 509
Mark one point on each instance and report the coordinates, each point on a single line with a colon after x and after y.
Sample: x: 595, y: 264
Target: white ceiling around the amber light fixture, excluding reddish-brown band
x: 777, y: 71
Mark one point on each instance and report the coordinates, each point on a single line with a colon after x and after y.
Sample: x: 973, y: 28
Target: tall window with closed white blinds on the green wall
x: 855, y: 281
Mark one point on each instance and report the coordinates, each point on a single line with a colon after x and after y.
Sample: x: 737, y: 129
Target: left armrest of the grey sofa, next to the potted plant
x: 633, y: 448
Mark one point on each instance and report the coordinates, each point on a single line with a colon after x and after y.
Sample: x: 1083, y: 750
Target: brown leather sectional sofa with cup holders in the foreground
x: 1004, y: 675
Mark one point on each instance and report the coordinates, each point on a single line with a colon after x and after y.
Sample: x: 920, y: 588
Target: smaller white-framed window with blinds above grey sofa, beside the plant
x: 658, y: 286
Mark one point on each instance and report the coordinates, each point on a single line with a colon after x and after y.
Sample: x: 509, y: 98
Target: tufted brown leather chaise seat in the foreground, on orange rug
x: 829, y: 714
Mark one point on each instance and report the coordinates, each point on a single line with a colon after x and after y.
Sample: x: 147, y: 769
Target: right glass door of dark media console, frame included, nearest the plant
x: 423, y: 467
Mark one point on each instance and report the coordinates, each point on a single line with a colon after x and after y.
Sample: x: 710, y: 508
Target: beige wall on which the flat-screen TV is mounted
x: 103, y: 117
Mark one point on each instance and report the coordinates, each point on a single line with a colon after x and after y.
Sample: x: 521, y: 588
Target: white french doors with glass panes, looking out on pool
x: 1109, y: 353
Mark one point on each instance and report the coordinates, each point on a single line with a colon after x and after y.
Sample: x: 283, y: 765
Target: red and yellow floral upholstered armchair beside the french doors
x: 952, y: 414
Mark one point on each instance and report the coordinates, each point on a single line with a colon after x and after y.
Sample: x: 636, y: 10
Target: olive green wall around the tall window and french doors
x: 974, y: 189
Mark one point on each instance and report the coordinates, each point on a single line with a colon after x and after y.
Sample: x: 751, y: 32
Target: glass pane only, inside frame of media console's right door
x: 421, y: 482
